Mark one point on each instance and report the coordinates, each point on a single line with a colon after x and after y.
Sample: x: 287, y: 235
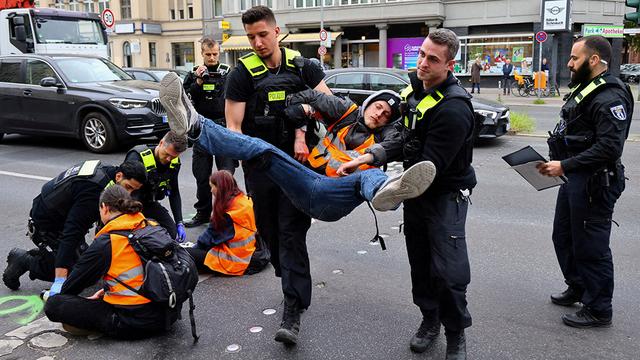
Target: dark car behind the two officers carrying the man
x: 492, y: 118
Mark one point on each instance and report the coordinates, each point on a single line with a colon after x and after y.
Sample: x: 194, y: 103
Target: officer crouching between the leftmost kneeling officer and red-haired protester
x: 162, y: 164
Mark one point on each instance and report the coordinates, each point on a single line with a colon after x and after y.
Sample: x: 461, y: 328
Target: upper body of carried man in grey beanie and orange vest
x: 357, y: 138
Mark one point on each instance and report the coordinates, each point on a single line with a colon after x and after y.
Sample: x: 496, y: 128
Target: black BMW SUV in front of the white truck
x: 85, y: 97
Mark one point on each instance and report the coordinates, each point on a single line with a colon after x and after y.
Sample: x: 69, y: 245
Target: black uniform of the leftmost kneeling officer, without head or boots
x: 62, y: 214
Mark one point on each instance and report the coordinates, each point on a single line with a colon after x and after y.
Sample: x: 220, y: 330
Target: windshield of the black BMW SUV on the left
x: 85, y: 70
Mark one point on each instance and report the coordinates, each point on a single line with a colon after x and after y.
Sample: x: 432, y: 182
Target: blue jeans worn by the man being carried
x: 321, y: 197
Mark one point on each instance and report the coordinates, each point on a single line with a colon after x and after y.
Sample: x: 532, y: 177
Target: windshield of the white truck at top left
x: 59, y: 30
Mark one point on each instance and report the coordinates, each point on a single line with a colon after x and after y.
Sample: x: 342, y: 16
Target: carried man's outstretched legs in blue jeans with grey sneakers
x: 322, y: 197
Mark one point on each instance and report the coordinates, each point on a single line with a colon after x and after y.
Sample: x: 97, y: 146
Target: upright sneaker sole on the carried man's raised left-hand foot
x: 171, y: 100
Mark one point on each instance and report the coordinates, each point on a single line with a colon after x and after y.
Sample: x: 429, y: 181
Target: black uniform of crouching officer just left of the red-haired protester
x: 162, y: 180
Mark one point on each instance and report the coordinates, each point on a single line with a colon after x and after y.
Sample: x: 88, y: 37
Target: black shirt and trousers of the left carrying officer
x: 279, y: 222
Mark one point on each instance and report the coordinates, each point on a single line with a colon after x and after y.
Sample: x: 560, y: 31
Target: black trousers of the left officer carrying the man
x: 284, y: 228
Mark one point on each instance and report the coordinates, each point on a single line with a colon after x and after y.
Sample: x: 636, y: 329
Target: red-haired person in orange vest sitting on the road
x: 229, y: 242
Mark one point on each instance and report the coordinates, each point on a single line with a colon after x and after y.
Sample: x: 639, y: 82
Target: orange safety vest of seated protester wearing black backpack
x: 125, y: 263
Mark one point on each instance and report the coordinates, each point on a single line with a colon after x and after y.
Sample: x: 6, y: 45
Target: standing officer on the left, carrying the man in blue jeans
x: 255, y: 101
